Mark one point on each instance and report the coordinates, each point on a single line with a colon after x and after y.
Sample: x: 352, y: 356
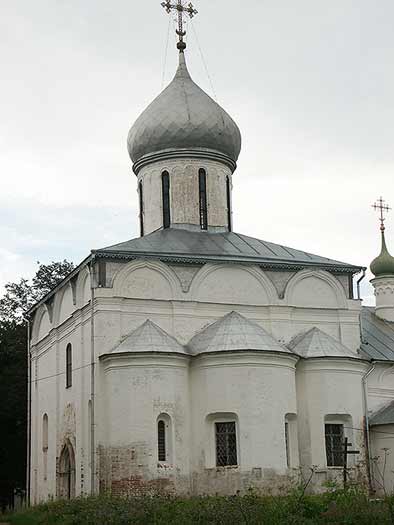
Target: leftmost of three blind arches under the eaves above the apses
x: 147, y: 280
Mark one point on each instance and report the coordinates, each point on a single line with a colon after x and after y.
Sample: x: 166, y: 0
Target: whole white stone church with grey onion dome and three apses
x: 196, y: 360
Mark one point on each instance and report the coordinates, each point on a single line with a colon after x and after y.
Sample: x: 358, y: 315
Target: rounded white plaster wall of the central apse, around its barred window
x: 257, y: 390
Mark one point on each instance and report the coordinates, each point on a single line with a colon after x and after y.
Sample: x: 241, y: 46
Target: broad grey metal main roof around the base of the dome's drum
x: 178, y: 245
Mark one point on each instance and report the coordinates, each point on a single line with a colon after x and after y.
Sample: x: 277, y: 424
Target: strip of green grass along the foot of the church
x: 351, y: 508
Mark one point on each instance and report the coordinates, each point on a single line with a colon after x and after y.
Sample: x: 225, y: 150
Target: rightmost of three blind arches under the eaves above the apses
x: 315, y: 289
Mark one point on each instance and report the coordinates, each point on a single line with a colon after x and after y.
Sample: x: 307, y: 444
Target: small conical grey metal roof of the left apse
x: 149, y: 338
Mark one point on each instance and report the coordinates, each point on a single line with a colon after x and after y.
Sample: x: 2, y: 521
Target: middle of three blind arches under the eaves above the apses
x: 233, y: 284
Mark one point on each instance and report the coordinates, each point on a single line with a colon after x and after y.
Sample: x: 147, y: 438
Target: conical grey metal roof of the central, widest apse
x: 233, y: 333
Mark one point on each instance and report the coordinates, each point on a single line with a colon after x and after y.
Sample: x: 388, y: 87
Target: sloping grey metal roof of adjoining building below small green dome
x: 377, y: 336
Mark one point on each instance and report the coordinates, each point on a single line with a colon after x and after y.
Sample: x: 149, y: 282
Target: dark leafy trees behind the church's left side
x: 18, y: 299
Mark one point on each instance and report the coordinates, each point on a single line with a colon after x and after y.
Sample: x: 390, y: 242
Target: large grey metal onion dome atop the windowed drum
x: 183, y: 121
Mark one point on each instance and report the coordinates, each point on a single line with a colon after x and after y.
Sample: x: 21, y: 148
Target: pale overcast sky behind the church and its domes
x: 309, y: 82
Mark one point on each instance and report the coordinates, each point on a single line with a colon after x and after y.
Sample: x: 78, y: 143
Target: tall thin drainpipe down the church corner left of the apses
x: 92, y: 384
